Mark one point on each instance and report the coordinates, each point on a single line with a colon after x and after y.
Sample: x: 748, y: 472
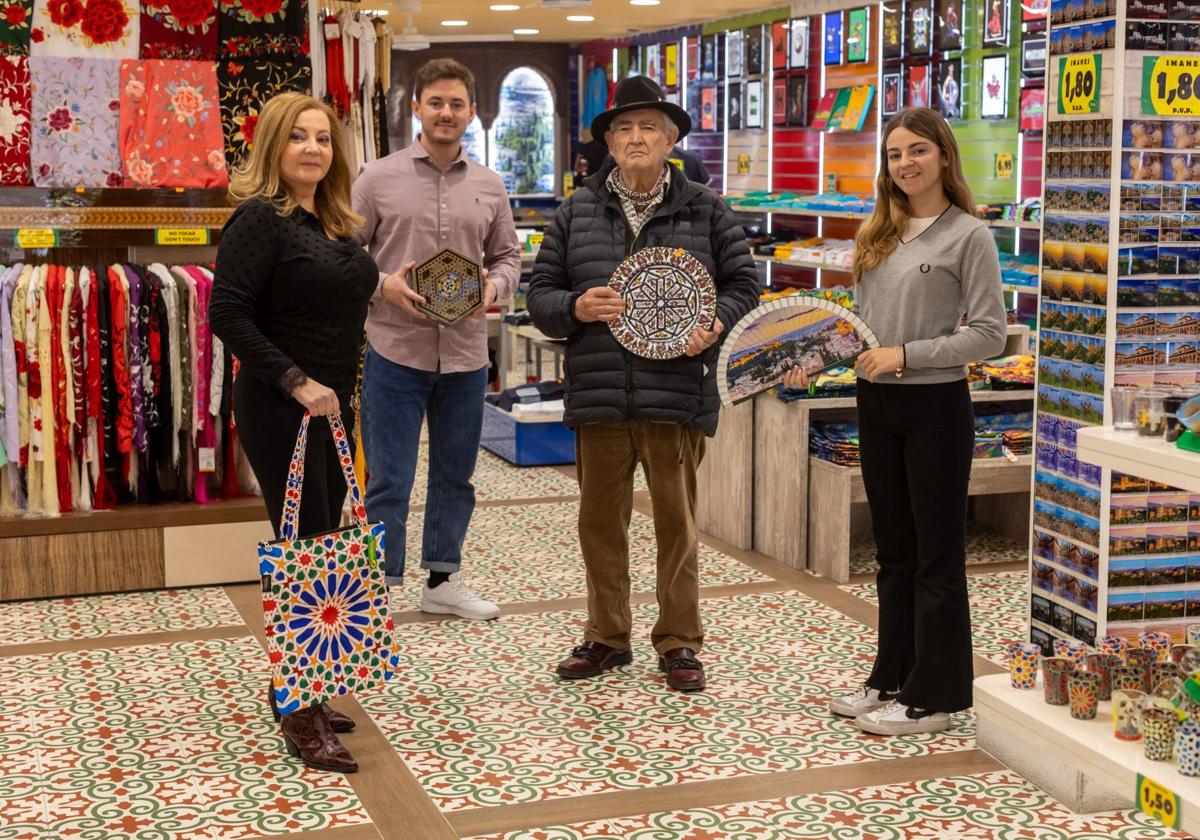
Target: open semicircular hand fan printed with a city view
x: 796, y: 331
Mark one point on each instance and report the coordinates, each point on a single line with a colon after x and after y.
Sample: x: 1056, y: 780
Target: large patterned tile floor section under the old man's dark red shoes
x: 497, y: 728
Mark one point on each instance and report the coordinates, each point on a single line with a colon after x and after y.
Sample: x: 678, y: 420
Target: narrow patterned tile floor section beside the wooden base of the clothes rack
x: 124, y: 615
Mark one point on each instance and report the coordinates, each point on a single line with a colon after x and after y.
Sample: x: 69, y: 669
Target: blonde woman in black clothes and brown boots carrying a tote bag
x: 290, y: 301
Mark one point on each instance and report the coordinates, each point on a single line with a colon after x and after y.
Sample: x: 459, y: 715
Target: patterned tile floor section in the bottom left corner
x: 171, y: 741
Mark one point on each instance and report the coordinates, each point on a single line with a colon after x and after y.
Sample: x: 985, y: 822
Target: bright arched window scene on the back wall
x: 521, y: 141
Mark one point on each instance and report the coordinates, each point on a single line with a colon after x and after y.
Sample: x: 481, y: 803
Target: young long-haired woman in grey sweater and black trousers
x: 922, y: 261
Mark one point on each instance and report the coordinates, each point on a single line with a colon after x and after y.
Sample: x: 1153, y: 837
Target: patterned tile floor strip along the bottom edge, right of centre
x: 987, y: 807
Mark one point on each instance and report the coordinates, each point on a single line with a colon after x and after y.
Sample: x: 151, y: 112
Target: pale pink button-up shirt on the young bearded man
x: 413, y: 211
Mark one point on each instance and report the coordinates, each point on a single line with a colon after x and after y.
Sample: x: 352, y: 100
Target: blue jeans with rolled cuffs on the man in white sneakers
x: 395, y: 400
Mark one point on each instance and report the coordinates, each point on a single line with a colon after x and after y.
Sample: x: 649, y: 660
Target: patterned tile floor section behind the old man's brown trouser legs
x: 532, y: 554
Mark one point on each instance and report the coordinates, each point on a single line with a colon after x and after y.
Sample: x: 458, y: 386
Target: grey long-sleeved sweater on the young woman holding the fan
x: 919, y: 295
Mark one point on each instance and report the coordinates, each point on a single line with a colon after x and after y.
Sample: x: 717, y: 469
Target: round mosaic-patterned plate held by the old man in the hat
x: 668, y: 295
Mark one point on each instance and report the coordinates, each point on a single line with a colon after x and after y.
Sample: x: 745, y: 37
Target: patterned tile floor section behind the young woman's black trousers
x: 999, y: 611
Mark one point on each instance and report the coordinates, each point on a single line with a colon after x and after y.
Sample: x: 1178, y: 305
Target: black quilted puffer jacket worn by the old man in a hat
x: 584, y: 247
